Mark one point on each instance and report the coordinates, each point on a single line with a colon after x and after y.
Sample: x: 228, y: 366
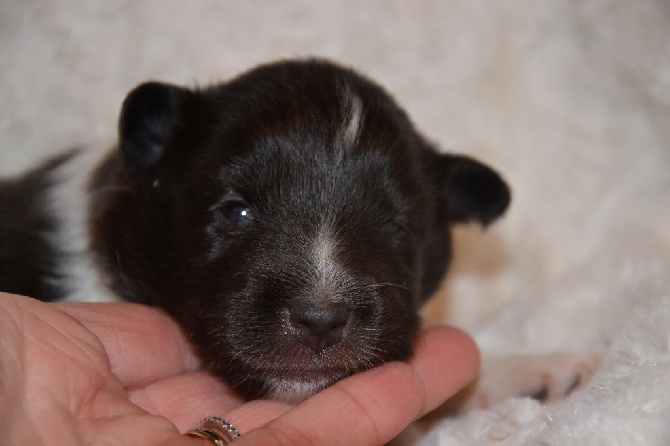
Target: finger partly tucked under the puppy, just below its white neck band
x: 144, y: 344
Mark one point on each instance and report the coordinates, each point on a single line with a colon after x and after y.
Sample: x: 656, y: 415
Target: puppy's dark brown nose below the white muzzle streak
x: 319, y: 326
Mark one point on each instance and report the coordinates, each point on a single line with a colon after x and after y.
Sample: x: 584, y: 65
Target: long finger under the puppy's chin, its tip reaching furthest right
x: 372, y: 407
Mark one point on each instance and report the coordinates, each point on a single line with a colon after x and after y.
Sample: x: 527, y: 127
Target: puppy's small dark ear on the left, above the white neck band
x: 148, y: 118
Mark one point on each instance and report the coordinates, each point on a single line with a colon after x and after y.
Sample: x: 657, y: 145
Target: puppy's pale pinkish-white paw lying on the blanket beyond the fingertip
x: 546, y: 378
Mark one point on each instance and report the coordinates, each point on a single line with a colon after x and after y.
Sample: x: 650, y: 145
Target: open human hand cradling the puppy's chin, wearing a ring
x: 121, y: 374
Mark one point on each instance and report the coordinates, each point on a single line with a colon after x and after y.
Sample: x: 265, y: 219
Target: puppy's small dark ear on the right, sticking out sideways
x: 473, y: 191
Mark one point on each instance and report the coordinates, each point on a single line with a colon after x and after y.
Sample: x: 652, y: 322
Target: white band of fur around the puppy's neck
x: 68, y: 200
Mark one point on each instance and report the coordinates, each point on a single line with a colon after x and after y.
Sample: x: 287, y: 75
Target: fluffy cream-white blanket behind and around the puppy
x: 569, y: 99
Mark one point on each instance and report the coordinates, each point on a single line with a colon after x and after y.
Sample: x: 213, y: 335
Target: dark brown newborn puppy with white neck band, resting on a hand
x: 292, y: 220
